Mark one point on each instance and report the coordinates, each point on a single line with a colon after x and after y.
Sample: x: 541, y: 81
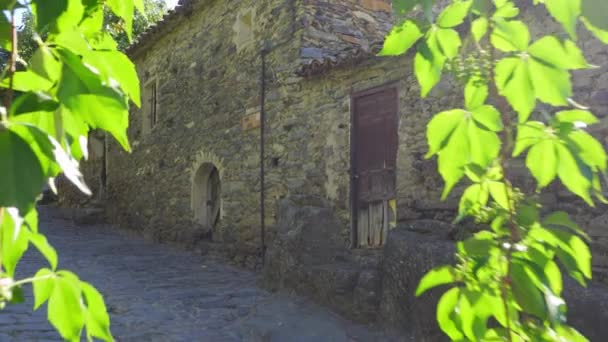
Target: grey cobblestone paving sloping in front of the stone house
x: 159, y: 293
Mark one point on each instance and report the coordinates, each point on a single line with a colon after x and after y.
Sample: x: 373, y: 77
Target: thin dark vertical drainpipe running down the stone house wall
x: 267, y: 48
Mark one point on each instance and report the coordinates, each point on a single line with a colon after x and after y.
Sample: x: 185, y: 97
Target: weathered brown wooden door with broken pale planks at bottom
x: 374, y: 140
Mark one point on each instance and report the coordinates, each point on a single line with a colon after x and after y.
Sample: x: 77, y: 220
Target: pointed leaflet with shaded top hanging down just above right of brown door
x: 428, y: 65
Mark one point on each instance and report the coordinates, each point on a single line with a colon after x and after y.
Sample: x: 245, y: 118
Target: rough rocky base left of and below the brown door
x: 309, y: 256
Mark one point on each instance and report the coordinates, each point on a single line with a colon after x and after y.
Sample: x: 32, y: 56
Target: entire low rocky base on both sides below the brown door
x: 309, y: 255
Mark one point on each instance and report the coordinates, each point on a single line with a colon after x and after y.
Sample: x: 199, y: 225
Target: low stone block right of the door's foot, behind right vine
x: 409, y: 255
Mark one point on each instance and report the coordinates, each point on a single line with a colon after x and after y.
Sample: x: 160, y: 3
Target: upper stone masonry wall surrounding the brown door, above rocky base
x: 418, y: 183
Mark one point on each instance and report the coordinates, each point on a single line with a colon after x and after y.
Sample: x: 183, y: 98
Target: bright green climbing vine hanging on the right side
x: 507, y: 281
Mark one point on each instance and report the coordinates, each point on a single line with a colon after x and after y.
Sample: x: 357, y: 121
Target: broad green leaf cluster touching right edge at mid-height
x: 564, y: 150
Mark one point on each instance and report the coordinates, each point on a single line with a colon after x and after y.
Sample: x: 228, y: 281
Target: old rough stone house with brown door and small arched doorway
x: 269, y: 128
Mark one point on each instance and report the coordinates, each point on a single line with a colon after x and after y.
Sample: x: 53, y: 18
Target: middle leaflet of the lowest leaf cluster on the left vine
x: 64, y: 308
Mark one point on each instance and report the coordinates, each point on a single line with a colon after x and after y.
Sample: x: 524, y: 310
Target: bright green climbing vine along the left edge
x: 76, y: 80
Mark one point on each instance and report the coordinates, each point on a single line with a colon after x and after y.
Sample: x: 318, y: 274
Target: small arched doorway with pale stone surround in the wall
x: 206, y: 200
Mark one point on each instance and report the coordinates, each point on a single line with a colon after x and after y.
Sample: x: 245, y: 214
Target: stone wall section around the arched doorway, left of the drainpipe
x: 205, y: 88
